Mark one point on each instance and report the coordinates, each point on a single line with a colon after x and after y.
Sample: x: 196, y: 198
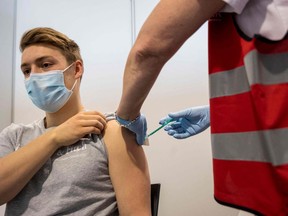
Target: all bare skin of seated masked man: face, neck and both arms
x: 70, y: 124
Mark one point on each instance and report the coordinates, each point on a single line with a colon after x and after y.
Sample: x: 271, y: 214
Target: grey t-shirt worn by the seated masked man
x: 74, y: 181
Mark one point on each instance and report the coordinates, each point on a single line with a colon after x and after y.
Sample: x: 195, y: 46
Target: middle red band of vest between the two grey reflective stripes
x: 264, y: 107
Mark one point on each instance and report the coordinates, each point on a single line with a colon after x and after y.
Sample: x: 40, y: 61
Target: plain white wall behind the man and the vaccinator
x: 102, y: 28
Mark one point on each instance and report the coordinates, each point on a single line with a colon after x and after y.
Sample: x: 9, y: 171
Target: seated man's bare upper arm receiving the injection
x: 128, y: 170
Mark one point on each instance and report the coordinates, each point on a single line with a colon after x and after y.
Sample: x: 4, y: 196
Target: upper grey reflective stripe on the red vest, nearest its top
x: 258, y: 69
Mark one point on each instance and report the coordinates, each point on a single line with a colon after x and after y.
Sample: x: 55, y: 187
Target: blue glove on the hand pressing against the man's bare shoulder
x: 137, y: 126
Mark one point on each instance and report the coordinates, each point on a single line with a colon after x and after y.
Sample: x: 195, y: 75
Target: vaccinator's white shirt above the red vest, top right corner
x: 268, y: 18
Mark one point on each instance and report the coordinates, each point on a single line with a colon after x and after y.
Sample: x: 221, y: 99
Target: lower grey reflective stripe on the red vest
x: 263, y: 146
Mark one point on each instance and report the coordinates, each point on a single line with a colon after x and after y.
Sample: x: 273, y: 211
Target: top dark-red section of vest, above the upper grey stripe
x: 227, y: 49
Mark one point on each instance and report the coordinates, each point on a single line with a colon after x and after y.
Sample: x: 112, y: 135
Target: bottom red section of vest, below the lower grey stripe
x: 251, y: 185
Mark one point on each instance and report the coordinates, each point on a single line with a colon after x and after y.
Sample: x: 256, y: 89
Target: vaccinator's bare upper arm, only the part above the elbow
x: 172, y: 22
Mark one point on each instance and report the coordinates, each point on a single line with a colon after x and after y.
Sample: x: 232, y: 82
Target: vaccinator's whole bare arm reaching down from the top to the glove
x: 169, y: 25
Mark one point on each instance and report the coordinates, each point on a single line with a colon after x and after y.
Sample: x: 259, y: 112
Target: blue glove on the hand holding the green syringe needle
x: 187, y: 122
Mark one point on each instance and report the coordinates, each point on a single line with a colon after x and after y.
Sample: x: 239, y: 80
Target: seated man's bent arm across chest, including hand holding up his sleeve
x: 17, y: 168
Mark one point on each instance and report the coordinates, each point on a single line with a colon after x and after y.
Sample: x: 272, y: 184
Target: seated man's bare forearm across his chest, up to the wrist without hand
x: 17, y: 168
